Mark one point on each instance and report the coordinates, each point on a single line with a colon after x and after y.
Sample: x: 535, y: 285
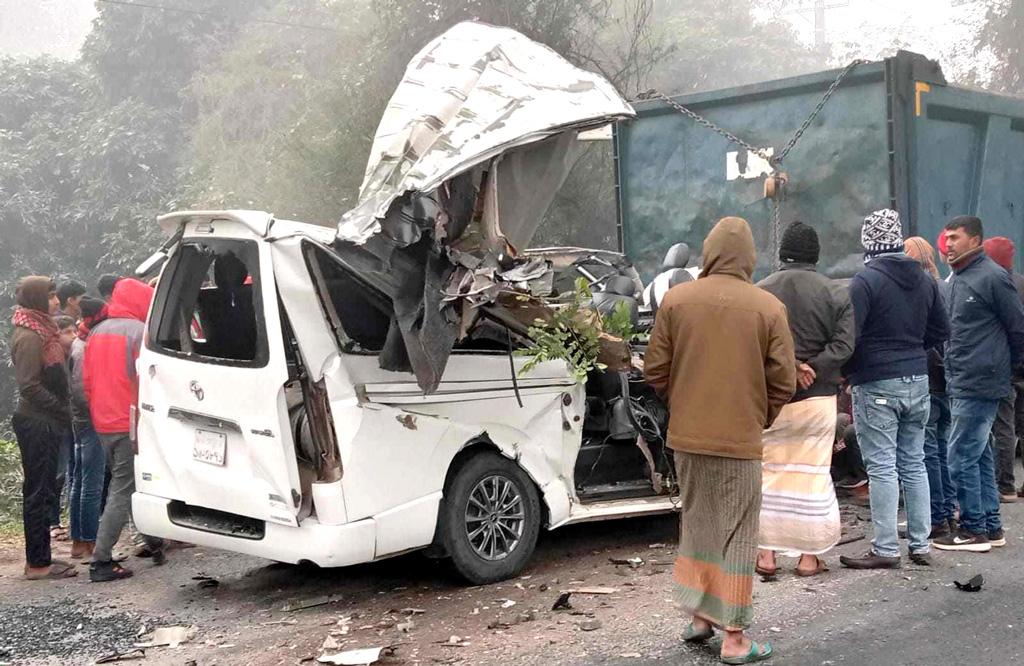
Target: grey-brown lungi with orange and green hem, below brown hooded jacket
x: 718, y: 529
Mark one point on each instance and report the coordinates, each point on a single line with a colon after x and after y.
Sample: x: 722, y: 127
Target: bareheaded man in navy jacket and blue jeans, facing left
x: 987, y: 344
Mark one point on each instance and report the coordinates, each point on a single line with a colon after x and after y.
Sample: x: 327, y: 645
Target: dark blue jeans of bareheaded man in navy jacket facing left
x: 972, y: 465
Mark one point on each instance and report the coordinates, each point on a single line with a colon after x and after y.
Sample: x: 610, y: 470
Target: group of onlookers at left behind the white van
x: 74, y: 359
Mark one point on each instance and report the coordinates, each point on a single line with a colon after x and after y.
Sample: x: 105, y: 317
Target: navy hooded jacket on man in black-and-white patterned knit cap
x: 900, y: 315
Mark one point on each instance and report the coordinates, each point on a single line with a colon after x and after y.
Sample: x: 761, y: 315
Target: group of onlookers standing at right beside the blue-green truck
x: 892, y: 384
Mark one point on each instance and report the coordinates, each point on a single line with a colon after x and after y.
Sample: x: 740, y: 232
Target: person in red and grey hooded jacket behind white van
x: 112, y: 390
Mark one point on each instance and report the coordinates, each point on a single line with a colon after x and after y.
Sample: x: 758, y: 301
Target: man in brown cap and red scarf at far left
x: 42, y: 415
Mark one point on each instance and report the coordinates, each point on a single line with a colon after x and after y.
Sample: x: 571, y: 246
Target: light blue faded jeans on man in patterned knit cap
x: 890, y: 418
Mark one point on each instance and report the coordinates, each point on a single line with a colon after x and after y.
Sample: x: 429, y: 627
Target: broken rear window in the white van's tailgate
x: 208, y: 305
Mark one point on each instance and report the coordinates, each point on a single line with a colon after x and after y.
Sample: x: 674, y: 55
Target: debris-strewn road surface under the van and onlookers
x: 909, y: 616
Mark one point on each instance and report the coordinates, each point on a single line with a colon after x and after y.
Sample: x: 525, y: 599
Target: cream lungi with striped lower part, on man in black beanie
x: 799, y: 511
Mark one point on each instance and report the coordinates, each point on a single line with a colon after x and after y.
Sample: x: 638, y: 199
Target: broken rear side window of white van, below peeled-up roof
x: 359, y: 315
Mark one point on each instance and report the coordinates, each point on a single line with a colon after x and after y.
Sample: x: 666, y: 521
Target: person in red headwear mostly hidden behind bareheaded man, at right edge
x: 1008, y: 419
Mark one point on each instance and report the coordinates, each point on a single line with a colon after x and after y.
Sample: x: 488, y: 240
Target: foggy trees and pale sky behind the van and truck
x: 115, y: 111
